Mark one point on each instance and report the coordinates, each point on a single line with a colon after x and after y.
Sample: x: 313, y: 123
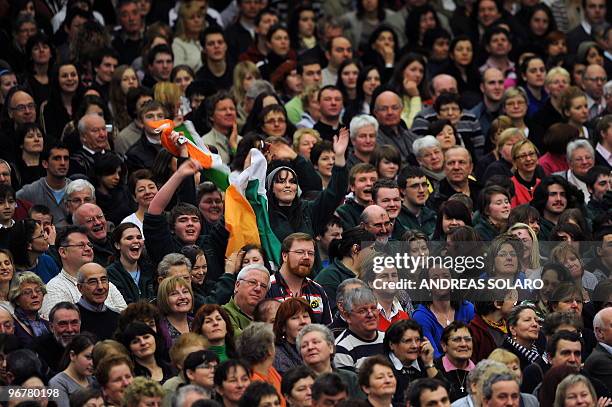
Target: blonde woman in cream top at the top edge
x: 186, y: 44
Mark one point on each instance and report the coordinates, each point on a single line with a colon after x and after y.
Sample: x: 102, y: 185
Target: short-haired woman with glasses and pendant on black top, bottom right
x: 456, y: 364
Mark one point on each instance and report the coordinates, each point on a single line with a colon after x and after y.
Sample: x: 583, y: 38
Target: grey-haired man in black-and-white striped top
x: 362, y: 338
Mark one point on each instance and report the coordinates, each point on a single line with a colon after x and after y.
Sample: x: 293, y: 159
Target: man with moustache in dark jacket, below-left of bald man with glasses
x: 65, y: 324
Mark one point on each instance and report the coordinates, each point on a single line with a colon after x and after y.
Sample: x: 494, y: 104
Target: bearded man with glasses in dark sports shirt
x: 298, y: 254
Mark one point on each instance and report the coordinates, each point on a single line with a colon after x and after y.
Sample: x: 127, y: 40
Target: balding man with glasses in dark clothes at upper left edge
x: 21, y: 109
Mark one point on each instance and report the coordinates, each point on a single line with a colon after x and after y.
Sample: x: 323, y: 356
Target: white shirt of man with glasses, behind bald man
x: 63, y: 287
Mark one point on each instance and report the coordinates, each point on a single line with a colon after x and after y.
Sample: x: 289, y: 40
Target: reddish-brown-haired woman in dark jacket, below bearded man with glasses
x: 292, y: 315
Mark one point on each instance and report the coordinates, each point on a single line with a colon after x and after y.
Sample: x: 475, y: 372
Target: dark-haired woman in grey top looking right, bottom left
x: 78, y: 368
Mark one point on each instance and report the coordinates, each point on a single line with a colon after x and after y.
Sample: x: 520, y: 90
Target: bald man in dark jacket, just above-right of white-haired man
x: 392, y: 130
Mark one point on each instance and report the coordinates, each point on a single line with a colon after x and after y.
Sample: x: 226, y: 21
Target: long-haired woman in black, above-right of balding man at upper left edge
x: 57, y: 111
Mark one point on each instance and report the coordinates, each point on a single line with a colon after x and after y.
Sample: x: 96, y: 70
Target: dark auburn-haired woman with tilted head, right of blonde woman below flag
x: 213, y: 323
